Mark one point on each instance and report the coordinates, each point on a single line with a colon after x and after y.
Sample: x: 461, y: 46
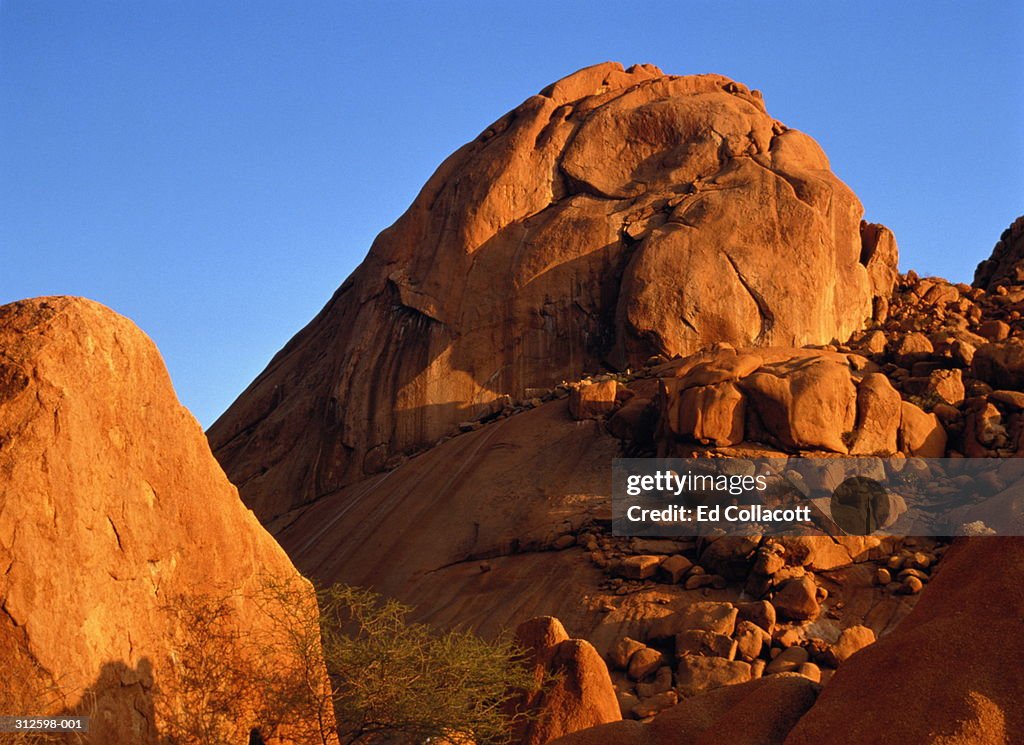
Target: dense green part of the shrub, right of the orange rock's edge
x: 398, y: 680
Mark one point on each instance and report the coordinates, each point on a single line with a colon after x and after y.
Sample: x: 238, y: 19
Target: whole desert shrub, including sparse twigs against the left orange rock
x: 392, y: 681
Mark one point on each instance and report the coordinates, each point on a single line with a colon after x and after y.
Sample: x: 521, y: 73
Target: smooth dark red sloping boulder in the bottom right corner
x: 949, y: 673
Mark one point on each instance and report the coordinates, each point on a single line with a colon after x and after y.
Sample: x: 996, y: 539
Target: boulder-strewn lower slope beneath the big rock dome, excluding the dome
x: 519, y: 525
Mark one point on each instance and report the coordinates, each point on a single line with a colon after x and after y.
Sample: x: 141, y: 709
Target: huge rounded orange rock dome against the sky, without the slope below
x: 616, y: 215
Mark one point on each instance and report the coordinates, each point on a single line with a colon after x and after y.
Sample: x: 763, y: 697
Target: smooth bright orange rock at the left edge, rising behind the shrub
x: 112, y: 508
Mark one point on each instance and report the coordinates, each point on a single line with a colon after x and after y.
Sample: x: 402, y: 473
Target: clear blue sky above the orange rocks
x: 214, y: 170
